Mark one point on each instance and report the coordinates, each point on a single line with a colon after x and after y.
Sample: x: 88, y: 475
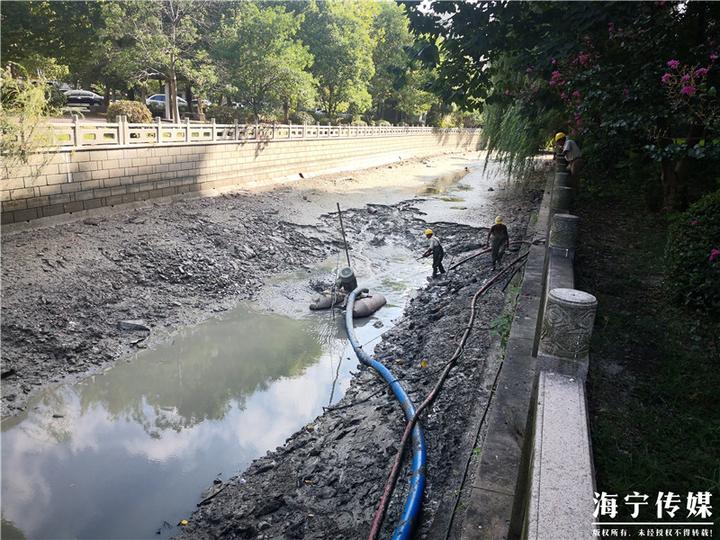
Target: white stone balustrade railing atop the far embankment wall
x: 83, y: 134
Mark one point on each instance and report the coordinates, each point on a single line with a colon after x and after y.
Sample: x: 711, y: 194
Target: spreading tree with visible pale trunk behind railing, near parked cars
x: 159, y: 38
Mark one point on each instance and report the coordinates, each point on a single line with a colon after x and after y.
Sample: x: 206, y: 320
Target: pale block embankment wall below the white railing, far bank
x: 79, y: 180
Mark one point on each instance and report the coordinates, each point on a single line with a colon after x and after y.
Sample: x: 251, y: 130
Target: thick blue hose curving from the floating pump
x: 404, y: 529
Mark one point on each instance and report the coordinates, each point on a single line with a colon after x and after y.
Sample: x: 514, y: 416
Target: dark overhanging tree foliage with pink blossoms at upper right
x: 593, y: 69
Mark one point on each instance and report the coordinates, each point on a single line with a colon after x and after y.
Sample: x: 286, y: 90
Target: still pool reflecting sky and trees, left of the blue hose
x: 116, y: 455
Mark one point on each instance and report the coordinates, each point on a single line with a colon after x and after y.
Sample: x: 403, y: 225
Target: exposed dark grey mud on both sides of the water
x: 80, y: 296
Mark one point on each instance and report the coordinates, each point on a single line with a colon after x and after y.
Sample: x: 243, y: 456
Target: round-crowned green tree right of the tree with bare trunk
x: 262, y: 59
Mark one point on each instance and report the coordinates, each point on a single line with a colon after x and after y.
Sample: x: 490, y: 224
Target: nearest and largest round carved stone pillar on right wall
x: 566, y: 329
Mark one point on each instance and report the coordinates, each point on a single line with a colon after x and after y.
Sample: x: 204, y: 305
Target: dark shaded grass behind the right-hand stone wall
x: 654, y: 376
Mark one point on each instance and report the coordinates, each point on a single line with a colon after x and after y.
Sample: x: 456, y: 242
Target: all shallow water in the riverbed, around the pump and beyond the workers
x: 129, y: 452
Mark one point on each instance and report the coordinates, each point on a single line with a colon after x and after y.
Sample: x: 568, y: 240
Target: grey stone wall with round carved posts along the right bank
x: 535, y: 476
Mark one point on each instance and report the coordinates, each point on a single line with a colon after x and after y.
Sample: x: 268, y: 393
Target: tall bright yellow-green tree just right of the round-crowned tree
x: 339, y: 34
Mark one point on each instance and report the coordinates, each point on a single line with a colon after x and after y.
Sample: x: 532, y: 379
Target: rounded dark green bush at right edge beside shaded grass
x: 692, y: 255
